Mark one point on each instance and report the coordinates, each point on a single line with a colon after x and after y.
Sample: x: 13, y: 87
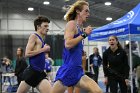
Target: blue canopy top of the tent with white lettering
x: 124, y: 27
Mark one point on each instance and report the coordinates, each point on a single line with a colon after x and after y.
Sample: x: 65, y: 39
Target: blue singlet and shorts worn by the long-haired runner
x: 71, y: 71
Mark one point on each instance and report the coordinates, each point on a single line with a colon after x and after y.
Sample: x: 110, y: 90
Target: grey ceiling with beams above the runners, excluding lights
x: 99, y: 11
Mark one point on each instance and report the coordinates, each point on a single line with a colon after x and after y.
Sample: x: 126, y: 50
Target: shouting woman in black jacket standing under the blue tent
x: 115, y: 66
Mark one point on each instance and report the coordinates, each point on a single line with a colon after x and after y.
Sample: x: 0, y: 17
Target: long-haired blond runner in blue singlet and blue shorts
x: 71, y: 72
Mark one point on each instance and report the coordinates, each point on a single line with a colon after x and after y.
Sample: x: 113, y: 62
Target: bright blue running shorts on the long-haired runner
x: 69, y: 76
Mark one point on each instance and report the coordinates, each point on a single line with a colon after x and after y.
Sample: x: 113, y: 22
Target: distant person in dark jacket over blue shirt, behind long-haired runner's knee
x: 95, y: 62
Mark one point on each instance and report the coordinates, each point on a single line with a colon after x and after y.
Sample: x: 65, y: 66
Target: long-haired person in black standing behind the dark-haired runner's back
x: 21, y: 64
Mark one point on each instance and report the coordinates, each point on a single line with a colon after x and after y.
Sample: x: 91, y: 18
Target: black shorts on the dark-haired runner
x: 33, y: 77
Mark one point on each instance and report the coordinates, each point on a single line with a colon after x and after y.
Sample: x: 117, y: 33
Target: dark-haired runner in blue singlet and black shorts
x: 34, y: 75
